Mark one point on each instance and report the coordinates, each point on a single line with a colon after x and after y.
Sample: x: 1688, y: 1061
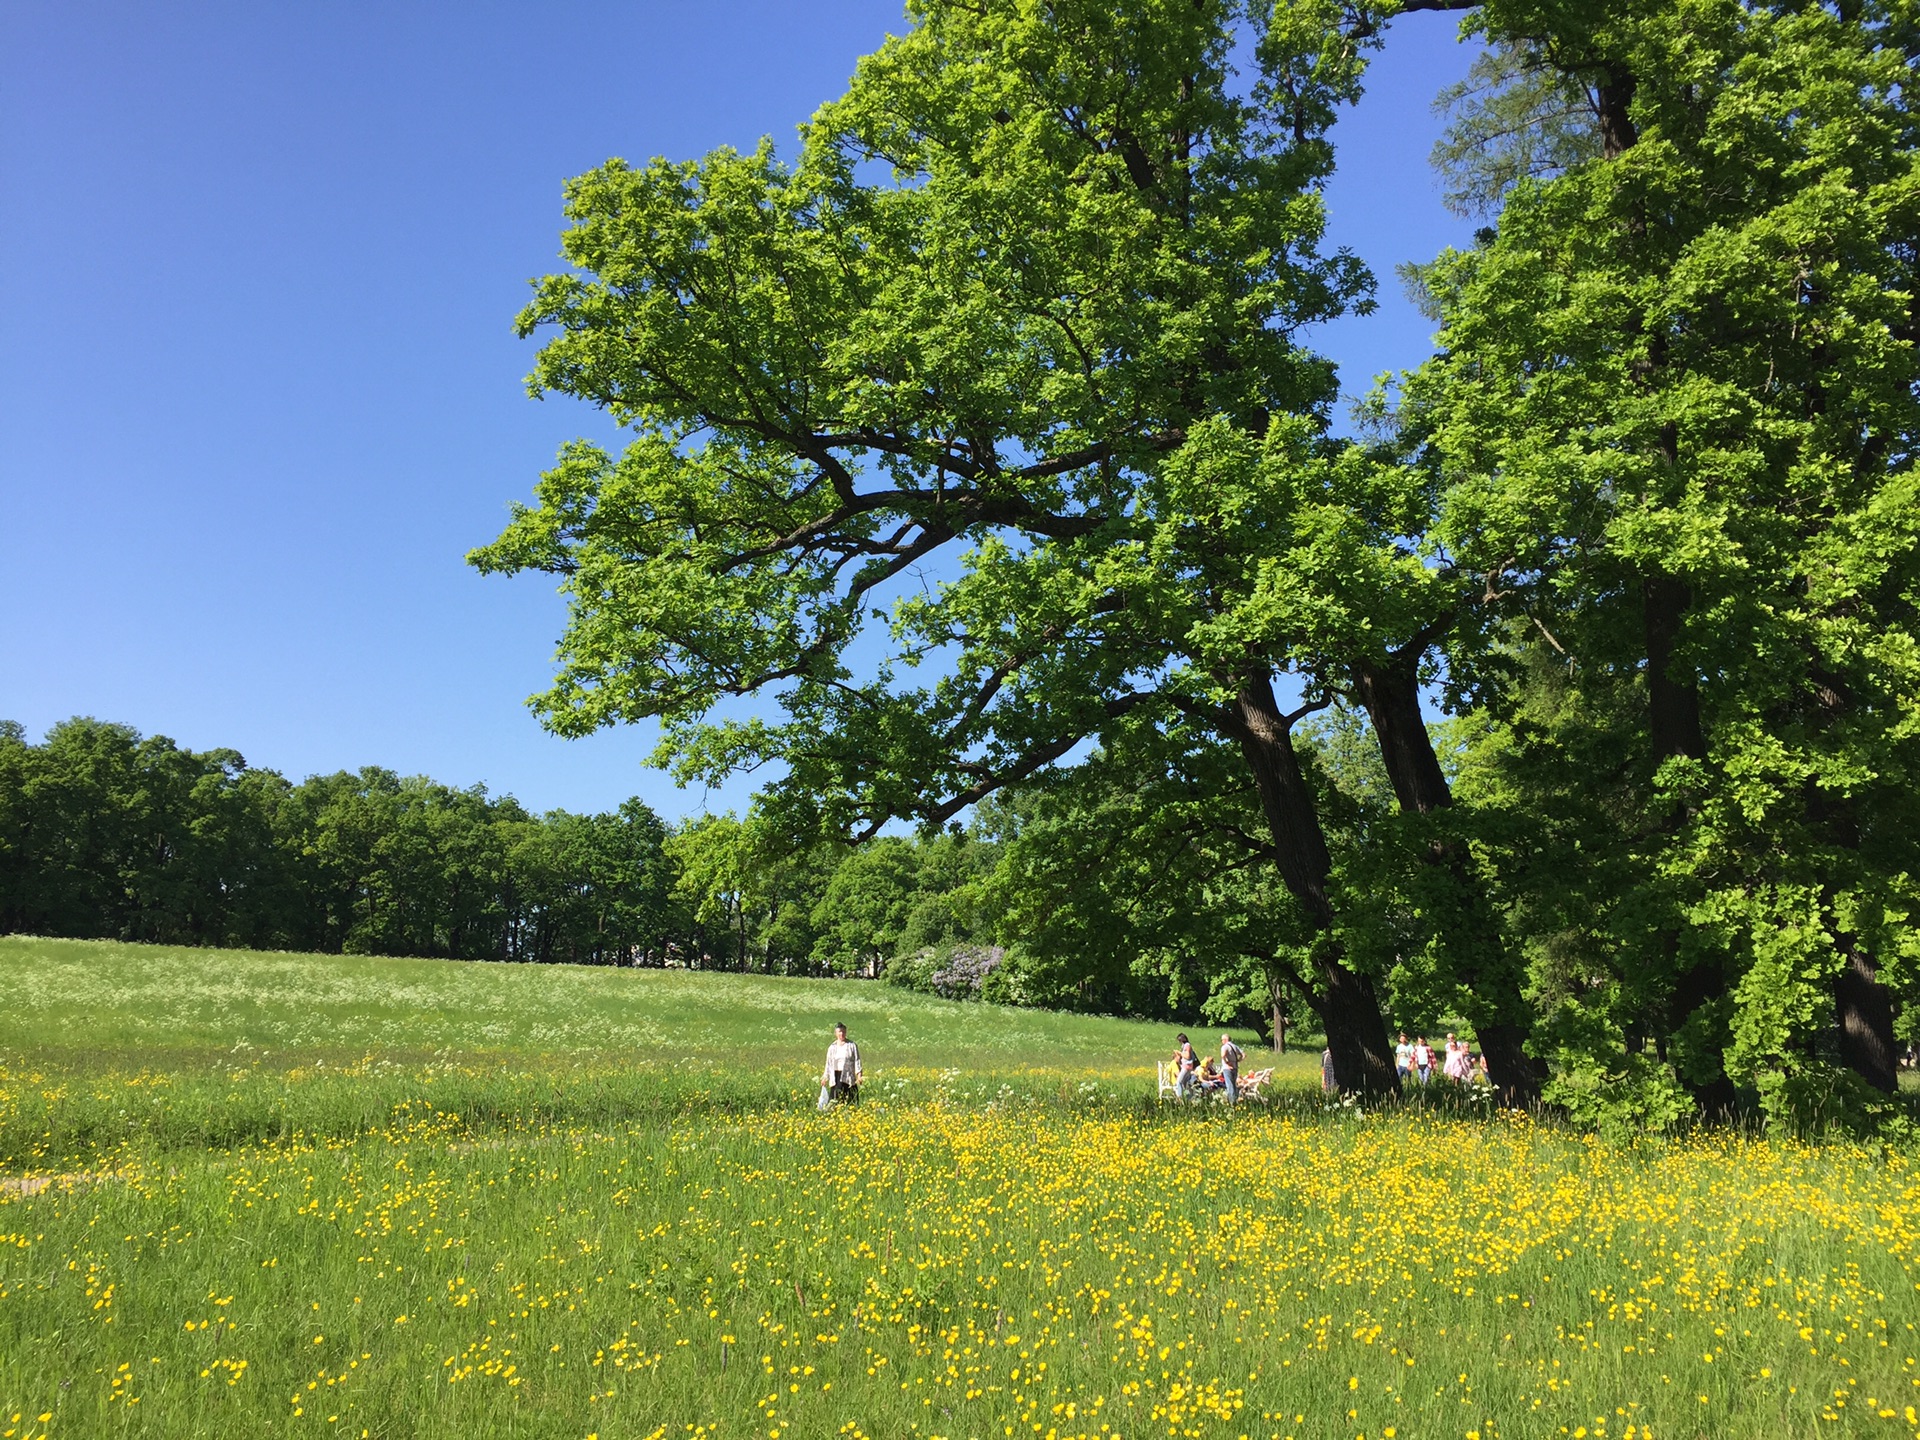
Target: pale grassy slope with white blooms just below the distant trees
x: 108, y: 997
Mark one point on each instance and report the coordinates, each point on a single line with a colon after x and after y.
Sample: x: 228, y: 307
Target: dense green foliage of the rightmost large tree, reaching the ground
x: 1677, y: 396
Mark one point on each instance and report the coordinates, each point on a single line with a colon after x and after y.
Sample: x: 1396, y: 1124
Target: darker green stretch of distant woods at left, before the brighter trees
x: 110, y: 834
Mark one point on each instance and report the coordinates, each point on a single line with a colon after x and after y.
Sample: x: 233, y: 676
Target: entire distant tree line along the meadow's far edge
x: 110, y: 834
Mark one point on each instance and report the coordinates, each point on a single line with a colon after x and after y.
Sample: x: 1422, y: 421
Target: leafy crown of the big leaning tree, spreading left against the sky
x: 923, y: 421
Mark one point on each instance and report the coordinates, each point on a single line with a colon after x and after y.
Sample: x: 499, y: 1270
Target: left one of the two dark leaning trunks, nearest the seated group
x: 1351, y: 1009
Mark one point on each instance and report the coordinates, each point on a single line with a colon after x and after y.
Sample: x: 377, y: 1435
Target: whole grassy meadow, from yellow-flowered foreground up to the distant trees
x: 310, y: 1195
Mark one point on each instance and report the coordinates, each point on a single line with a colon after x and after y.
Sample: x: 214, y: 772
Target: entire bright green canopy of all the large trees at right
x: 982, y: 439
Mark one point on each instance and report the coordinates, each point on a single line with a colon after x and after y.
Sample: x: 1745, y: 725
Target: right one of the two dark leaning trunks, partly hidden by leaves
x: 1393, y: 700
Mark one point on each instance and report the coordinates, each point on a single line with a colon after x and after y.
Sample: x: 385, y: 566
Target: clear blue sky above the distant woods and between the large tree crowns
x: 258, y: 381
